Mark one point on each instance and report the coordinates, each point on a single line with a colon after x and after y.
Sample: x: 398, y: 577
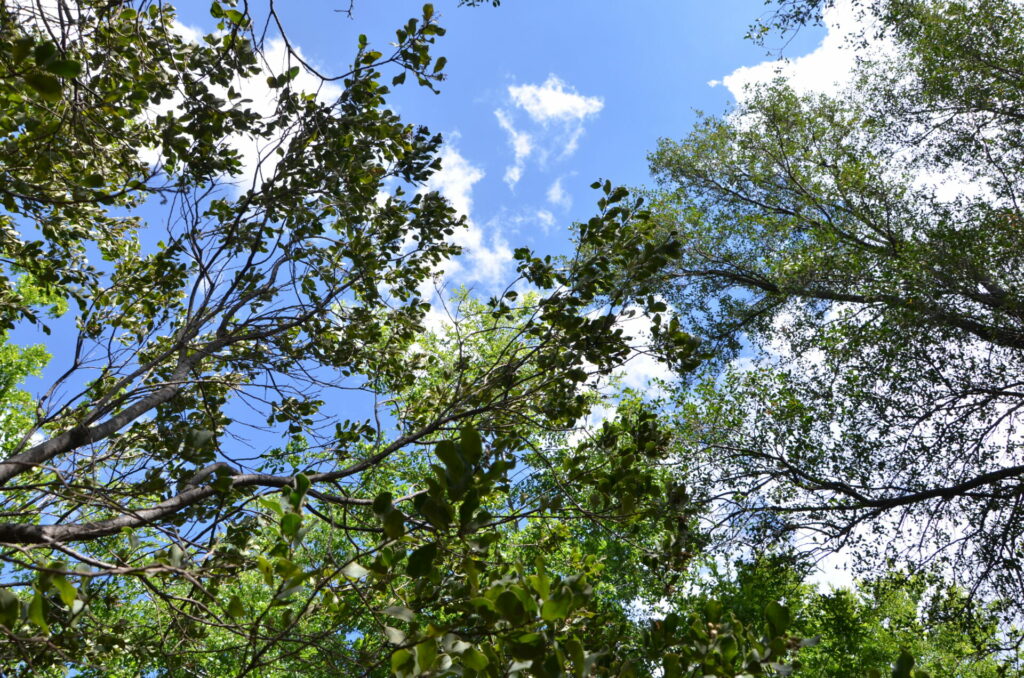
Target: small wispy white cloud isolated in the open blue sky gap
x: 557, y: 112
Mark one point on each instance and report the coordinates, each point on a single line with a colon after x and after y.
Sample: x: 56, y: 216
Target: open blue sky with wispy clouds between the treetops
x: 586, y: 89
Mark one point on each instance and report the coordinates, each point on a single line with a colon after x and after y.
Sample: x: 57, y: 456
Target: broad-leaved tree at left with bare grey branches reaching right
x: 191, y: 495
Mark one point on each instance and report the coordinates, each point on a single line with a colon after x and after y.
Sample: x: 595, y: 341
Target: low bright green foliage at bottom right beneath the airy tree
x: 869, y: 626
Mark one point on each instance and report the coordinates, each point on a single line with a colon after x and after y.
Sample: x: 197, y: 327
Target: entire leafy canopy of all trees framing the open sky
x: 275, y: 444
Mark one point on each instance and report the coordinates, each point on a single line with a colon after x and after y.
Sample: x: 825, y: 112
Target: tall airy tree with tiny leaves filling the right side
x: 865, y: 255
